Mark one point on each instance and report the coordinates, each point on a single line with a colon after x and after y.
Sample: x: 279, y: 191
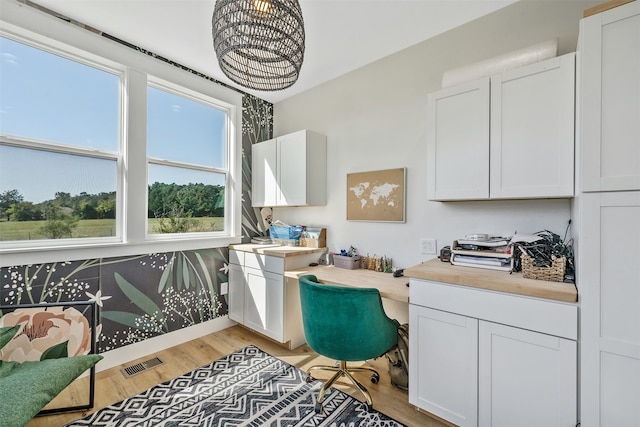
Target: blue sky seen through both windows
x: 50, y: 98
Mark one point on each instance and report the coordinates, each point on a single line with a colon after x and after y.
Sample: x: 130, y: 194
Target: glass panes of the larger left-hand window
x: 60, y: 145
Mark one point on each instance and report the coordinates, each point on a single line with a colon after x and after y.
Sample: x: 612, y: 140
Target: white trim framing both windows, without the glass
x: 24, y: 22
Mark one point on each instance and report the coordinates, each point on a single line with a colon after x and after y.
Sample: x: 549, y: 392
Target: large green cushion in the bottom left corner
x: 26, y: 388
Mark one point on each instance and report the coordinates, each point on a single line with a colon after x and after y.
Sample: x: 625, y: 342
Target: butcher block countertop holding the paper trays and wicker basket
x: 438, y: 271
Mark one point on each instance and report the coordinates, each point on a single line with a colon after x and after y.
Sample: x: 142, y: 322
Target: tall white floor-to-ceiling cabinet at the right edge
x: 608, y: 210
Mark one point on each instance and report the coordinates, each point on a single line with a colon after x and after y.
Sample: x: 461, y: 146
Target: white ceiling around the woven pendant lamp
x: 341, y: 35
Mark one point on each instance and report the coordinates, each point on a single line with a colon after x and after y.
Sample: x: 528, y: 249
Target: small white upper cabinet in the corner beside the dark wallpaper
x: 290, y: 170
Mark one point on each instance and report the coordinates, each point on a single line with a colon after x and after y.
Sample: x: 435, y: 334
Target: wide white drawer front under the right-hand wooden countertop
x: 546, y: 316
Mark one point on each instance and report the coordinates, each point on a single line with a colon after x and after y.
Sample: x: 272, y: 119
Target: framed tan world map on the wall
x: 376, y: 195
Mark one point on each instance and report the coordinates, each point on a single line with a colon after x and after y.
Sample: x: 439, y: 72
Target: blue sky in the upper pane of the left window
x: 47, y: 97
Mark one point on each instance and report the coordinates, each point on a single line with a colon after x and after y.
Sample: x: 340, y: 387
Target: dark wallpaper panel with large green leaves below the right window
x: 160, y: 294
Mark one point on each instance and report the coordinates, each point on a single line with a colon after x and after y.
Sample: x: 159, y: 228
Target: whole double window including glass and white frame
x: 107, y: 151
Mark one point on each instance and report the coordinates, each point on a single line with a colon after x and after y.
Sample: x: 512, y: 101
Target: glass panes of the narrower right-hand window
x: 187, y: 163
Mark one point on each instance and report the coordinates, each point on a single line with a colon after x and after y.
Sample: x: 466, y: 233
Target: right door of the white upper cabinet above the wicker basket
x: 532, y: 130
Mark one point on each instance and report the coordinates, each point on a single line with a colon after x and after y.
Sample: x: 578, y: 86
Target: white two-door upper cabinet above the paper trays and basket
x: 507, y: 137
